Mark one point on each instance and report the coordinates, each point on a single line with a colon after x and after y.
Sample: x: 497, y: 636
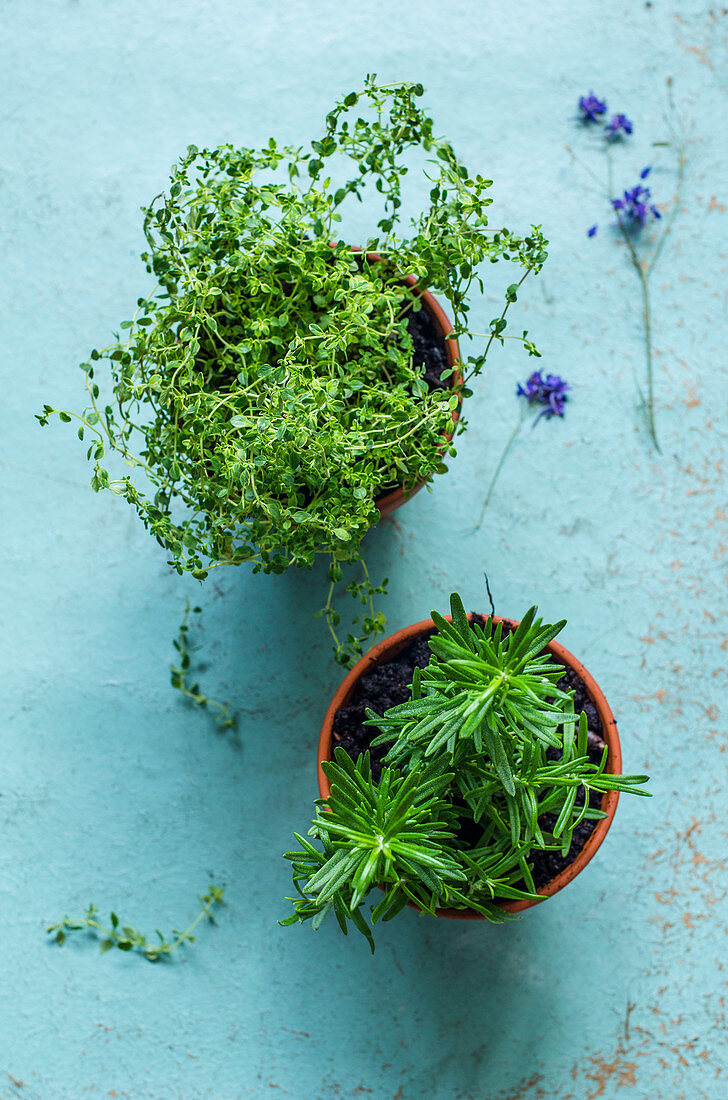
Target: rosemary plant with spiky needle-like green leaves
x: 488, y: 764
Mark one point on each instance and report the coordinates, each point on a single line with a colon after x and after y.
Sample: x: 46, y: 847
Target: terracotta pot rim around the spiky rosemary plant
x: 390, y: 650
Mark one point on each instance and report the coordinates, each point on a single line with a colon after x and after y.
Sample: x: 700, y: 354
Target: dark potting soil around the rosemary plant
x: 389, y: 685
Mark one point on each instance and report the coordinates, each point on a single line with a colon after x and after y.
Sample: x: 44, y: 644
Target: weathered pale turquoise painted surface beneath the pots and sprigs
x: 112, y: 790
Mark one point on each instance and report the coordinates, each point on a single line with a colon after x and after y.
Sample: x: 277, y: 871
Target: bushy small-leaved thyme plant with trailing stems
x: 266, y: 393
